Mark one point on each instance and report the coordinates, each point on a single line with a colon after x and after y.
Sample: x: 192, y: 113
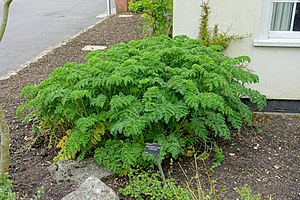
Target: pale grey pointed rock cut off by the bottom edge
x: 92, y: 189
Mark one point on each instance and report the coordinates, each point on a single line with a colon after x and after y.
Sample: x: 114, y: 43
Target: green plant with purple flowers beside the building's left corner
x: 158, y: 15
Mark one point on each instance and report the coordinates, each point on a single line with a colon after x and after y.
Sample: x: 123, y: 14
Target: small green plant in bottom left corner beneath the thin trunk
x: 6, y: 187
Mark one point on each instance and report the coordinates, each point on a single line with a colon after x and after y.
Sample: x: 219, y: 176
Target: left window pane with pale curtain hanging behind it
x: 282, y: 16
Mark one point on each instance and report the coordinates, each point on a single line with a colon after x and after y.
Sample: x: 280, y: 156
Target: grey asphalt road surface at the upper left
x: 37, y: 25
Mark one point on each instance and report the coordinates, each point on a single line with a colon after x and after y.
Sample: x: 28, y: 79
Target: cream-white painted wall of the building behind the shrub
x: 277, y: 67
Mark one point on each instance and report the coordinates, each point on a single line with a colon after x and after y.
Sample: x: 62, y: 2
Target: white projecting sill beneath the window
x: 277, y: 43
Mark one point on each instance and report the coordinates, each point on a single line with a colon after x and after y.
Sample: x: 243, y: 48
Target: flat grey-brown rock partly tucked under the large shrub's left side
x: 77, y: 171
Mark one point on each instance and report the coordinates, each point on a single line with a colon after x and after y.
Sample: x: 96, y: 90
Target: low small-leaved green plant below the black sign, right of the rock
x: 148, y: 185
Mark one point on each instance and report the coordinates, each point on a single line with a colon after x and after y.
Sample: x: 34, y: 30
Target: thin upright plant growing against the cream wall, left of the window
x: 214, y: 37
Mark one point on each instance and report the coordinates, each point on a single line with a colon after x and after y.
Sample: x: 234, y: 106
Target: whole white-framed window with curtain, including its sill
x: 280, y: 23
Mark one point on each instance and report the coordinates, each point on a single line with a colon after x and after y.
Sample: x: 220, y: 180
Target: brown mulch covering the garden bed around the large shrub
x: 266, y: 157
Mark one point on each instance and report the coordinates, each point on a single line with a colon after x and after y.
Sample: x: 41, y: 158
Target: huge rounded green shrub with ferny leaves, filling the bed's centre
x: 175, y: 92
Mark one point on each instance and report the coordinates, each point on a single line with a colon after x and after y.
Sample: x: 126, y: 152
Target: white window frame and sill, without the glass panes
x: 275, y: 38
